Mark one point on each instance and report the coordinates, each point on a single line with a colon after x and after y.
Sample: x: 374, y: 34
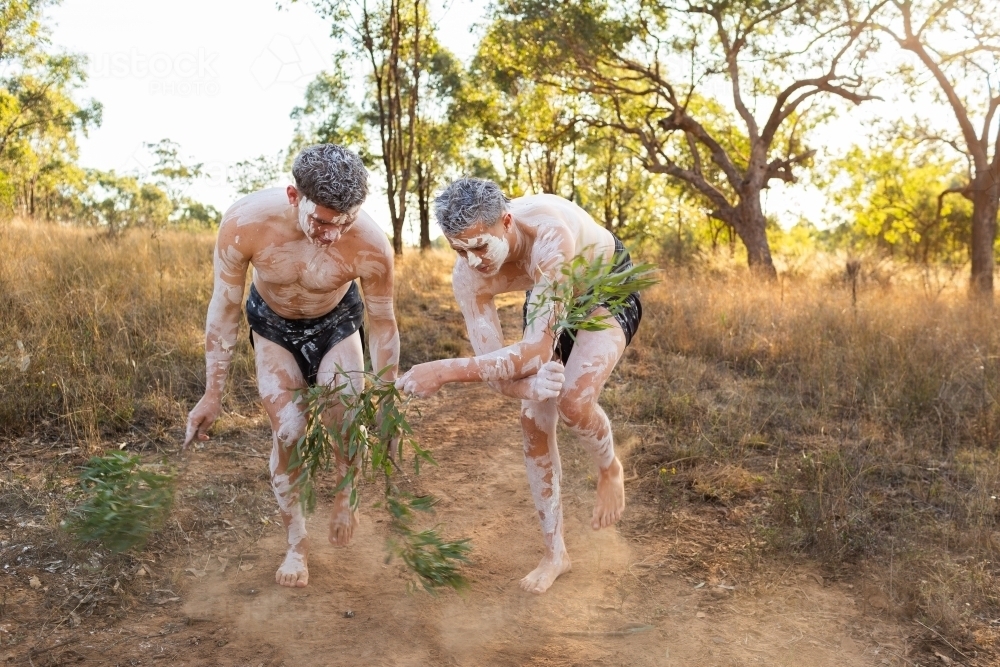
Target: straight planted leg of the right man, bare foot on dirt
x: 541, y: 459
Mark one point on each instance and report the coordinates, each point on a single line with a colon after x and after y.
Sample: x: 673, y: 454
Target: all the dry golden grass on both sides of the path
x: 860, y: 437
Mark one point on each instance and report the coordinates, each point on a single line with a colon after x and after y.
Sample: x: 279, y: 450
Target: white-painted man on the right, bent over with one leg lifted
x: 523, y: 244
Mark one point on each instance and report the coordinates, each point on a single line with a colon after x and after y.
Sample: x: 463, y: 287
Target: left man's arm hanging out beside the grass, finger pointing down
x: 221, y: 330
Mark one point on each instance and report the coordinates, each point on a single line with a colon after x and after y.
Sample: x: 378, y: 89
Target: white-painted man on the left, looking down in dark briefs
x: 307, y: 244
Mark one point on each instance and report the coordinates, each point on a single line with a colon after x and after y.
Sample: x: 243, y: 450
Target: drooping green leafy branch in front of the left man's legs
x: 371, y: 440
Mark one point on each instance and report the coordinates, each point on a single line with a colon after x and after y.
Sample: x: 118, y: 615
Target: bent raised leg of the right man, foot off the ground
x: 594, y: 356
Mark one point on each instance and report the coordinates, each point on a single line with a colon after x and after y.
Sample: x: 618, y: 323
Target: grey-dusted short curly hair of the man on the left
x: 331, y: 176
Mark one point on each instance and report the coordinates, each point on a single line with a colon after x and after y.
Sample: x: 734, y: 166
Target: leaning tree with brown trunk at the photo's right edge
x: 957, y: 42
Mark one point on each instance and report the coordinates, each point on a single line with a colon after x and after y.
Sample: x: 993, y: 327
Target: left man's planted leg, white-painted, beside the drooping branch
x: 278, y: 377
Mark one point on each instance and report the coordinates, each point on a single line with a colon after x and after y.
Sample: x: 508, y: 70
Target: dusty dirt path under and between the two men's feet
x: 615, y: 608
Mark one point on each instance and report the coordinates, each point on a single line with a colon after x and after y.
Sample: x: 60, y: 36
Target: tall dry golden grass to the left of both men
x: 101, y: 335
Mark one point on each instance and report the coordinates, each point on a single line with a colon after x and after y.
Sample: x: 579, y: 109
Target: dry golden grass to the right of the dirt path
x: 856, y: 435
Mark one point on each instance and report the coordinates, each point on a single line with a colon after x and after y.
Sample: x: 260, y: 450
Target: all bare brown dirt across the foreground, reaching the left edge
x: 212, y: 600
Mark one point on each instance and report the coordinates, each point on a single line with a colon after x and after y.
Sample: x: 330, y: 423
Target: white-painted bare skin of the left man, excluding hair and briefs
x: 303, y: 264
